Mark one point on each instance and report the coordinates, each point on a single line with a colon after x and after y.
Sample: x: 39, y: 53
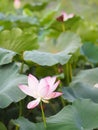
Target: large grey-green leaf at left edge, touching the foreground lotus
x: 9, y: 81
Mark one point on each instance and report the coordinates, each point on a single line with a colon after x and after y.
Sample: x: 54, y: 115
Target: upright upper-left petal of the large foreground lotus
x: 32, y: 81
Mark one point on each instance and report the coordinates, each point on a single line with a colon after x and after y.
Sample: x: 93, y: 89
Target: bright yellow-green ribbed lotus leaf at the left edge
x: 17, y: 40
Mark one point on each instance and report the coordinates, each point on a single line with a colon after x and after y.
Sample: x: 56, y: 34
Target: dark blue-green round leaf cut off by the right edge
x: 90, y: 51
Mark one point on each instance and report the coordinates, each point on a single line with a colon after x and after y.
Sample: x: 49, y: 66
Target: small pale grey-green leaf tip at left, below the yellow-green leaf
x: 6, y: 56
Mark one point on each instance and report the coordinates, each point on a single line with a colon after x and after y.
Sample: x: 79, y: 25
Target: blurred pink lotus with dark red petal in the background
x: 64, y: 16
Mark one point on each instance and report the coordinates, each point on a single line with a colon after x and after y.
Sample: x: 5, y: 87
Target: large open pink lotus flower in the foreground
x: 42, y: 90
